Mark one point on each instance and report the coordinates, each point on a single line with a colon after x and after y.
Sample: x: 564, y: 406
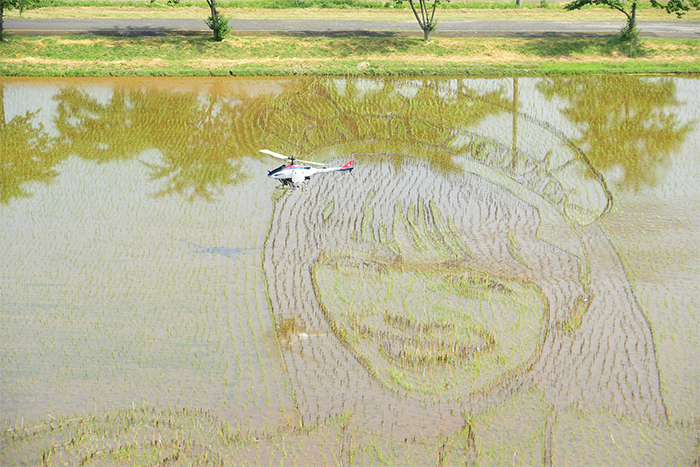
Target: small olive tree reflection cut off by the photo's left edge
x: 25, y: 154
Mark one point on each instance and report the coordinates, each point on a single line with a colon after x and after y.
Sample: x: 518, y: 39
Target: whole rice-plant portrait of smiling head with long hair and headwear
x: 452, y: 276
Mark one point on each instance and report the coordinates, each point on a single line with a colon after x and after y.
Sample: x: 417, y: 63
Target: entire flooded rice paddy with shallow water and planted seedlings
x: 509, y: 276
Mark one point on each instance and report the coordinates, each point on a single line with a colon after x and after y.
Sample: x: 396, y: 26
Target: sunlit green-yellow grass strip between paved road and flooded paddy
x: 253, y: 56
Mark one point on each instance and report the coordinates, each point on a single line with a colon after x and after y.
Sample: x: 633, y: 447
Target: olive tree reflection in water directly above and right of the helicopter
x: 421, y: 112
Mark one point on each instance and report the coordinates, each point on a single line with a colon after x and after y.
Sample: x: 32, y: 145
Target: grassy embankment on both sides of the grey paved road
x: 245, y: 55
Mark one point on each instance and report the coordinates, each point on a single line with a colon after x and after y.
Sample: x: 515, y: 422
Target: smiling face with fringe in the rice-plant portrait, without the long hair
x: 418, y: 295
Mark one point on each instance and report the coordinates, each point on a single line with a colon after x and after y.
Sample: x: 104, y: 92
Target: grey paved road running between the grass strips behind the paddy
x: 337, y: 28
